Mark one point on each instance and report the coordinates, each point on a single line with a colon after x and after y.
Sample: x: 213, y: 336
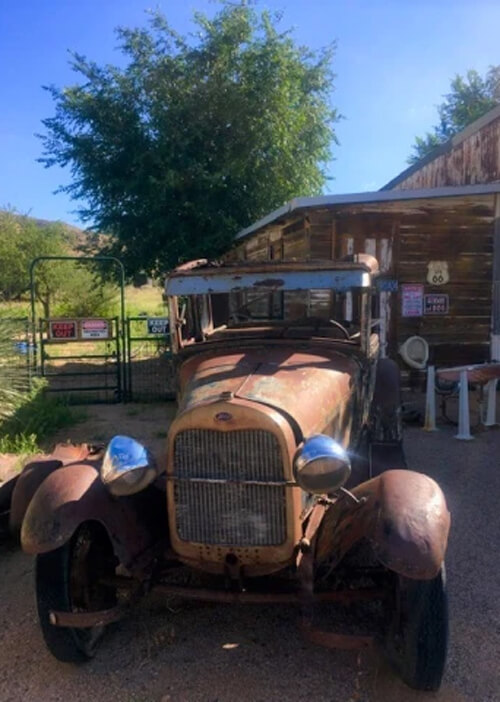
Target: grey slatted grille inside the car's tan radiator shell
x: 234, y: 512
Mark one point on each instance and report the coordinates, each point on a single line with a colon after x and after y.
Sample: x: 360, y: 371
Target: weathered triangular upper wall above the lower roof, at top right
x: 470, y: 159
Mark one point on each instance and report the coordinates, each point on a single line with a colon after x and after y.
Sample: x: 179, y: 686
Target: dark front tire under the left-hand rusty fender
x: 69, y: 579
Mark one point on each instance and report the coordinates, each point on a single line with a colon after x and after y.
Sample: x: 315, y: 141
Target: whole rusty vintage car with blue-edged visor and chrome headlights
x: 284, y: 479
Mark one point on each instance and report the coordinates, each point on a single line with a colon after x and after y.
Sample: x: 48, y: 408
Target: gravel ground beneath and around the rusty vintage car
x: 189, y: 652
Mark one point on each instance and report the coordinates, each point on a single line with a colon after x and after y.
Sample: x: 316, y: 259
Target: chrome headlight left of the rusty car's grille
x: 127, y: 467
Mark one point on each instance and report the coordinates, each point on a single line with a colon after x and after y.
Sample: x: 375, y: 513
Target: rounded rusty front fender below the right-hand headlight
x: 404, y: 516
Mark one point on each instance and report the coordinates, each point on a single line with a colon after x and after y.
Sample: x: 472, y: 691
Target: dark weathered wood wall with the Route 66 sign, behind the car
x: 404, y: 237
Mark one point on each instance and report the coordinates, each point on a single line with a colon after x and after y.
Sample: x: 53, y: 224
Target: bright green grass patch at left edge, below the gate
x: 34, y: 416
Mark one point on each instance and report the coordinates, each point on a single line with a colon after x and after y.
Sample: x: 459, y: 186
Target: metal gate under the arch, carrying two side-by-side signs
x: 82, y: 359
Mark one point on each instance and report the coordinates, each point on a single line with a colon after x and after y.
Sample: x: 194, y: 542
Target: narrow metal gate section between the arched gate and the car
x: 150, y: 374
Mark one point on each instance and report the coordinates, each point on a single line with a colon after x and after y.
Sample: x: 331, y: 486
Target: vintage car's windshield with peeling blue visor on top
x: 211, y: 304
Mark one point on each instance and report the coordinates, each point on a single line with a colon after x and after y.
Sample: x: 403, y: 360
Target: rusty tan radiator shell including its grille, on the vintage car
x: 230, y: 488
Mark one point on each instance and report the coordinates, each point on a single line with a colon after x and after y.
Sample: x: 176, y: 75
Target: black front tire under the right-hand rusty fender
x: 418, y: 635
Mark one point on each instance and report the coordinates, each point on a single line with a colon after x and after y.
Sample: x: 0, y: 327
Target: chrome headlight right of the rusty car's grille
x: 321, y: 465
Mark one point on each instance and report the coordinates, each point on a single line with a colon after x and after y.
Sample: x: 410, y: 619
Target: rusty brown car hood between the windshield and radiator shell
x: 313, y: 390
